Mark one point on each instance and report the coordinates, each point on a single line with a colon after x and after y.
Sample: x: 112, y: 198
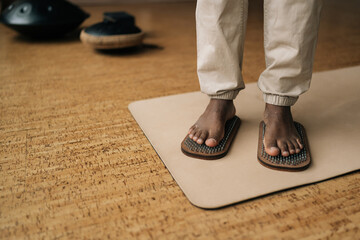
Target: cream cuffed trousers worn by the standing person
x: 290, y: 35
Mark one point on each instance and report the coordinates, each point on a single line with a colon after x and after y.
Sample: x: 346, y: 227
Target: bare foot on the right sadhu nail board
x: 281, y: 135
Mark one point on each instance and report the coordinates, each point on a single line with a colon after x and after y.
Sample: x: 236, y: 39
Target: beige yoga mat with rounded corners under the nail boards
x: 330, y: 112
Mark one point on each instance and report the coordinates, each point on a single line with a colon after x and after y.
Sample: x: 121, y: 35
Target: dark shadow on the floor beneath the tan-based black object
x: 130, y: 50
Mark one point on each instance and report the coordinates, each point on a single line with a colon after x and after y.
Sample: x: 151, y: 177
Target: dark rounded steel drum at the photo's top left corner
x: 43, y: 18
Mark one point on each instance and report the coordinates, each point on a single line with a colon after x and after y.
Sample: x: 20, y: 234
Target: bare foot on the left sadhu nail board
x: 210, y: 127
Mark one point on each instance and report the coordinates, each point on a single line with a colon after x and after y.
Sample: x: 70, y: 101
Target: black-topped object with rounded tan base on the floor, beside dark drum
x: 117, y: 30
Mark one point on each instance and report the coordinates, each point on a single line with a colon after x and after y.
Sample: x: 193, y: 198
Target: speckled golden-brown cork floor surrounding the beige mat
x: 74, y: 163
